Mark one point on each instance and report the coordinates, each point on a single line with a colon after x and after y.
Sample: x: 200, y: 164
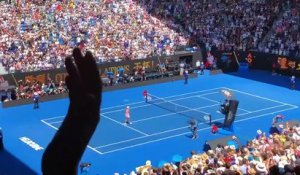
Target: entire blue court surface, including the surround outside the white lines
x: 156, y: 133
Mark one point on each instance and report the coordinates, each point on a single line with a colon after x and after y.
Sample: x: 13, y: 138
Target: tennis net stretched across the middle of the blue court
x: 169, y: 105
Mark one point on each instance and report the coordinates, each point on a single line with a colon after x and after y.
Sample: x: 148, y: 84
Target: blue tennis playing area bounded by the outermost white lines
x: 151, y: 123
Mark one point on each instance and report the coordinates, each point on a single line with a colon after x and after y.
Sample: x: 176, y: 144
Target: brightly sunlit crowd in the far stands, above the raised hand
x: 38, y: 36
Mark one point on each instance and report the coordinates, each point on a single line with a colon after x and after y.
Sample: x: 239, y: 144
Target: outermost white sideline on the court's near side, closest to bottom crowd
x: 237, y: 121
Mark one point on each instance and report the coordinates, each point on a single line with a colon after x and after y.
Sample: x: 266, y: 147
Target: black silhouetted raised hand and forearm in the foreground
x: 85, y: 91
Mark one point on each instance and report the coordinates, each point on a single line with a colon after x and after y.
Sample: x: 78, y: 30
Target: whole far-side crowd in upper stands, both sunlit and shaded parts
x: 37, y: 36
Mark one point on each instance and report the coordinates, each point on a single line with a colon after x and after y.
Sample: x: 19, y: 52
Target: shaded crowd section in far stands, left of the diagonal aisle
x: 224, y: 24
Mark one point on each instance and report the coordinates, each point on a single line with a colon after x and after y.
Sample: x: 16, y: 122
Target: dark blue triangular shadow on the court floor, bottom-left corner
x: 10, y: 165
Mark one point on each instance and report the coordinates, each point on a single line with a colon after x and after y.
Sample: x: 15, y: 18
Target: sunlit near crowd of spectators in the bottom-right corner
x: 276, y: 154
